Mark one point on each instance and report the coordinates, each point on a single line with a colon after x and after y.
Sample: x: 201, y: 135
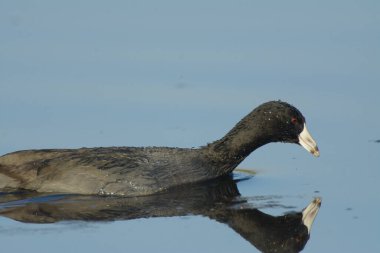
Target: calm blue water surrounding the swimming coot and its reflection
x: 170, y: 73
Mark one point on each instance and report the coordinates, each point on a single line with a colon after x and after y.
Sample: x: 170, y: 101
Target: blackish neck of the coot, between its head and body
x: 228, y: 152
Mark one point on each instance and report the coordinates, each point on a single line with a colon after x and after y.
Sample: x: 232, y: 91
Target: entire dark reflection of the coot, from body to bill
x: 217, y: 199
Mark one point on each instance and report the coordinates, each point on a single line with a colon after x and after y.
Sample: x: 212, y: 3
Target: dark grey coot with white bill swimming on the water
x: 132, y: 171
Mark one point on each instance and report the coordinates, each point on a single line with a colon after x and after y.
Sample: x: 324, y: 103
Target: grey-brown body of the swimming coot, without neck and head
x: 115, y: 170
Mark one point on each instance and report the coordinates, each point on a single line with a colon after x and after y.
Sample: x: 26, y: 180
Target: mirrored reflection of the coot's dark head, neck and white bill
x: 287, y: 233
